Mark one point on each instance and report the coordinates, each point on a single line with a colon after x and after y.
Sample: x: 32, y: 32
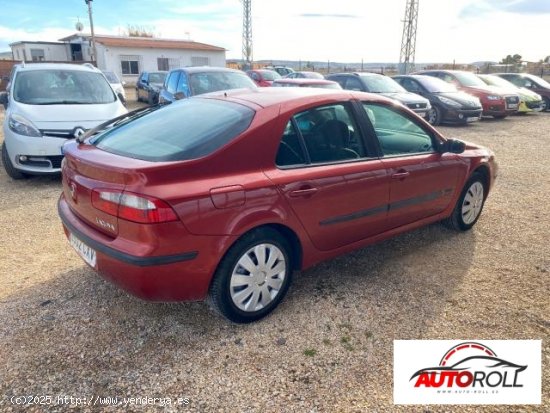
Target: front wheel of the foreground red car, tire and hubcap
x: 469, y: 205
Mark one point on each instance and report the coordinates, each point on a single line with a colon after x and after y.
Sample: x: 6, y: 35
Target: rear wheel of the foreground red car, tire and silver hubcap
x: 253, y: 276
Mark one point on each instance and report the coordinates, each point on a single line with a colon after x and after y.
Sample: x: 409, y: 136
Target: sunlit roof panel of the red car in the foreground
x: 272, y: 96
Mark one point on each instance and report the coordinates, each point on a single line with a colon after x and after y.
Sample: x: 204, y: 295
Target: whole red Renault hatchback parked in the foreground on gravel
x: 224, y: 196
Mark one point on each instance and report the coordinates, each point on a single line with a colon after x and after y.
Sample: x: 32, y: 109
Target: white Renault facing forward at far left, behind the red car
x: 47, y: 104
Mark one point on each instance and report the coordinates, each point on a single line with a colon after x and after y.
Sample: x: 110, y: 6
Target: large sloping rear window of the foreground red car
x: 187, y: 129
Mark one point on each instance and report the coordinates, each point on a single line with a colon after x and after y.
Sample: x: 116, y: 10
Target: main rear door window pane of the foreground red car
x: 330, y: 134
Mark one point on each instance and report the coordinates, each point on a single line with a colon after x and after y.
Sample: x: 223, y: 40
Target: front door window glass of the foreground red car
x: 397, y: 134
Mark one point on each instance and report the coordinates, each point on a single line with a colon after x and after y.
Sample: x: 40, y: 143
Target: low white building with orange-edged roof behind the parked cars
x: 126, y: 56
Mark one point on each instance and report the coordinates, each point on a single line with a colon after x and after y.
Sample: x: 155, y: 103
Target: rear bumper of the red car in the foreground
x: 176, y: 277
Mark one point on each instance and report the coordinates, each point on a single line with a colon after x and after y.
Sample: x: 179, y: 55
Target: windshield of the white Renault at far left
x: 58, y: 87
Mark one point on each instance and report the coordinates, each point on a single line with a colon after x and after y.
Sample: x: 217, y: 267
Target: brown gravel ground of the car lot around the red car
x: 328, y: 348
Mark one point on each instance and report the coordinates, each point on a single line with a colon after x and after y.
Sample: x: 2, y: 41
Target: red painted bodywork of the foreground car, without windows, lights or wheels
x: 220, y: 197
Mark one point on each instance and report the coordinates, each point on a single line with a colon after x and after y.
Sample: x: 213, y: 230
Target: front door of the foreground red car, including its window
x: 423, y: 180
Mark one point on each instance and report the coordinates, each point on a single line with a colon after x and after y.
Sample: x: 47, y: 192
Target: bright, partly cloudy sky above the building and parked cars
x: 309, y: 30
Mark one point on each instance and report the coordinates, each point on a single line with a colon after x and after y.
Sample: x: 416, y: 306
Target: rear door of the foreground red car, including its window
x: 338, y: 190
